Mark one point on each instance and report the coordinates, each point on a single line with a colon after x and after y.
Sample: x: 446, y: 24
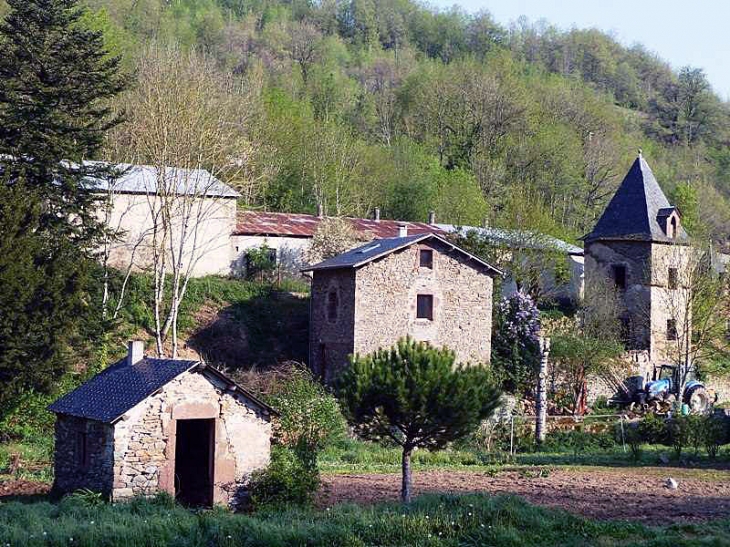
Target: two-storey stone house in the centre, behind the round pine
x: 420, y: 285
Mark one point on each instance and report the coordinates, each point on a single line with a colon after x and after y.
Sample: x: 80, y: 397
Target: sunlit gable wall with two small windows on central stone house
x: 385, y: 307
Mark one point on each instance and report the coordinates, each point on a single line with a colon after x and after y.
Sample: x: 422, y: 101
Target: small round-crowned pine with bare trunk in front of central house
x: 414, y: 395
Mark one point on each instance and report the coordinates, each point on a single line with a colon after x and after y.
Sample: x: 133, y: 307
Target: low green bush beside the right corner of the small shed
x: 288, y: 480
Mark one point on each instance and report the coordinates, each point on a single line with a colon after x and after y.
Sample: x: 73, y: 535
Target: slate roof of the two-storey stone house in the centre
x: 379, y: 248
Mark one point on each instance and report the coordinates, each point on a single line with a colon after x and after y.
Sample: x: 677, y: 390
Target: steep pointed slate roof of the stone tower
x: 634, y: 210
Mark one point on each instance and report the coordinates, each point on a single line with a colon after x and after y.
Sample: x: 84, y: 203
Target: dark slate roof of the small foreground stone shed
x: 118, y: 388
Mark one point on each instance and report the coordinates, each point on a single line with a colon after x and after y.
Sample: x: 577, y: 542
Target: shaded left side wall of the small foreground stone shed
x: 83, y: 455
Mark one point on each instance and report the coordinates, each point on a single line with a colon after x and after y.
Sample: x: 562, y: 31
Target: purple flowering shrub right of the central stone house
x: 515, y: 344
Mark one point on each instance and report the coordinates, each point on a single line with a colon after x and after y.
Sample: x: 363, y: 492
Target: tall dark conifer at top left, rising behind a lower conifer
x: 55, y: 82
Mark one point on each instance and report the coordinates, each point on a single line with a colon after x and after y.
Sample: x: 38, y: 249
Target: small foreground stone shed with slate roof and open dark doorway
x: 147, y: 425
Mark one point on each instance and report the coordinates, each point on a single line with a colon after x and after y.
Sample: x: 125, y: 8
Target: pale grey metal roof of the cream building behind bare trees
x: 144, y: 179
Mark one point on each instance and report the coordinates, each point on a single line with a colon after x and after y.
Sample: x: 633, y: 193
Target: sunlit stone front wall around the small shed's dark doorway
x: 144, y: 440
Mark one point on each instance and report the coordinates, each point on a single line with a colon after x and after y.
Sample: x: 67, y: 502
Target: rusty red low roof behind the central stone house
x: 303, y: 225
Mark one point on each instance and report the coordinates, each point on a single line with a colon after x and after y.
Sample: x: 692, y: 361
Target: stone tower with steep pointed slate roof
x: 639, y: 248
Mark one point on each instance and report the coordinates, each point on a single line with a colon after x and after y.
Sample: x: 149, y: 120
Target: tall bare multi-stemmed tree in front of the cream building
x: 187, y: 122
